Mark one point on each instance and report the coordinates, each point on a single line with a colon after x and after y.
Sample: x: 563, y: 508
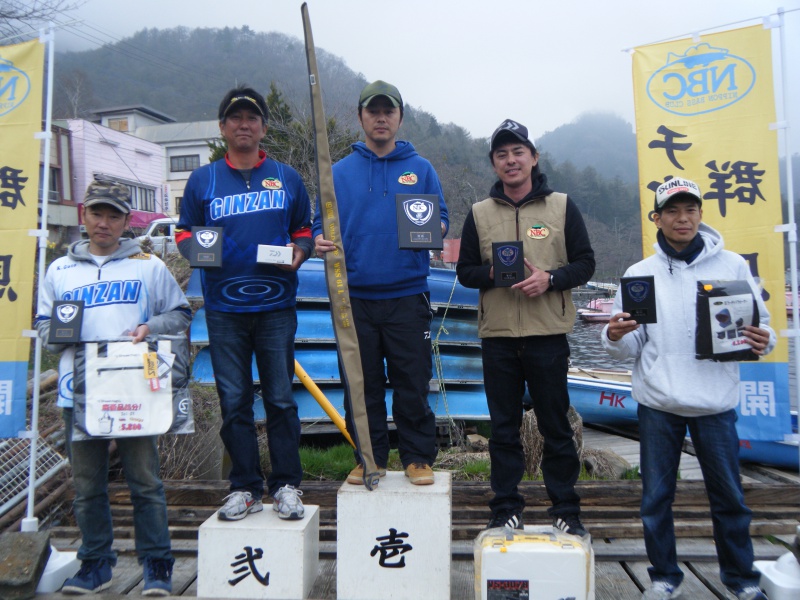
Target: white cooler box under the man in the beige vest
x: 540, y: 563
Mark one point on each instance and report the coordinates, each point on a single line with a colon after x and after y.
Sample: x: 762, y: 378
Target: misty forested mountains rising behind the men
x: 184, y: 73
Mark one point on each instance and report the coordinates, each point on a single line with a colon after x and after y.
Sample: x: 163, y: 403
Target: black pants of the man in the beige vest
x: 542, y: 362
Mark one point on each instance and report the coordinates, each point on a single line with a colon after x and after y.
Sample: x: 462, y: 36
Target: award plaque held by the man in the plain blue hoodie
x: 419, y: 225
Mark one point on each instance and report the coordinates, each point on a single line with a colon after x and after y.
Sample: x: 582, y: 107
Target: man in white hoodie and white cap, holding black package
x: 675, y: 391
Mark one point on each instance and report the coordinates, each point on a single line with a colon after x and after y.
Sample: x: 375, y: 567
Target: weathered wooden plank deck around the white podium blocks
x: 610, y: 512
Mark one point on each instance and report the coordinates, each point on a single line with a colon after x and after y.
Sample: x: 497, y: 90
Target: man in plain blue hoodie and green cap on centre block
x: 388, y: 286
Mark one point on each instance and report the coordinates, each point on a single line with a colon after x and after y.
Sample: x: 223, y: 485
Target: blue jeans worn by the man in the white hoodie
x: 717, y: 446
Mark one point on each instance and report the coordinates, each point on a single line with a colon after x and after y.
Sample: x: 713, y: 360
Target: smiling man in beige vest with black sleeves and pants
x: 524, y: 327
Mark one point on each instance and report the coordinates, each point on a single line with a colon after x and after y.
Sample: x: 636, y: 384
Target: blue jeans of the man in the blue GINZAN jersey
x: 233, y: 338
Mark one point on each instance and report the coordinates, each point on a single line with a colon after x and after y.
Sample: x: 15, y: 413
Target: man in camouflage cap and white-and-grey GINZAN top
x: 156, y: 306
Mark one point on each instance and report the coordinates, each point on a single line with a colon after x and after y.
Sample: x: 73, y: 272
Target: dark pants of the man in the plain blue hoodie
x: 398, y: 330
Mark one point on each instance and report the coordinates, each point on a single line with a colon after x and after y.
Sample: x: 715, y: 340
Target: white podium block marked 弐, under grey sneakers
x: 260, y: 556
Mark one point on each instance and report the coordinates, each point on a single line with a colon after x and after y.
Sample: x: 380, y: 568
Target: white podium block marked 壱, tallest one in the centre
x: 394, y: 542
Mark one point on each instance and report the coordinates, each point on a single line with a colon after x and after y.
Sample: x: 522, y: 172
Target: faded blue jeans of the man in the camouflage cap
x: 140, y: 463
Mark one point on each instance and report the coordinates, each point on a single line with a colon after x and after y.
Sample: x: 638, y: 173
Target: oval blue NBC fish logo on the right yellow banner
x: 701, y: 80
